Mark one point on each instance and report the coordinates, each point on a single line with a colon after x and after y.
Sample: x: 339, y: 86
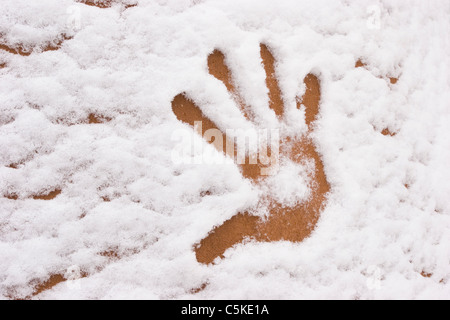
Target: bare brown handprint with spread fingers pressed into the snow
x: 286, y: 223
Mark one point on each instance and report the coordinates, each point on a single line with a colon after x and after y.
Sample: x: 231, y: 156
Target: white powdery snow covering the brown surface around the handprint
x: 374, y: 239
